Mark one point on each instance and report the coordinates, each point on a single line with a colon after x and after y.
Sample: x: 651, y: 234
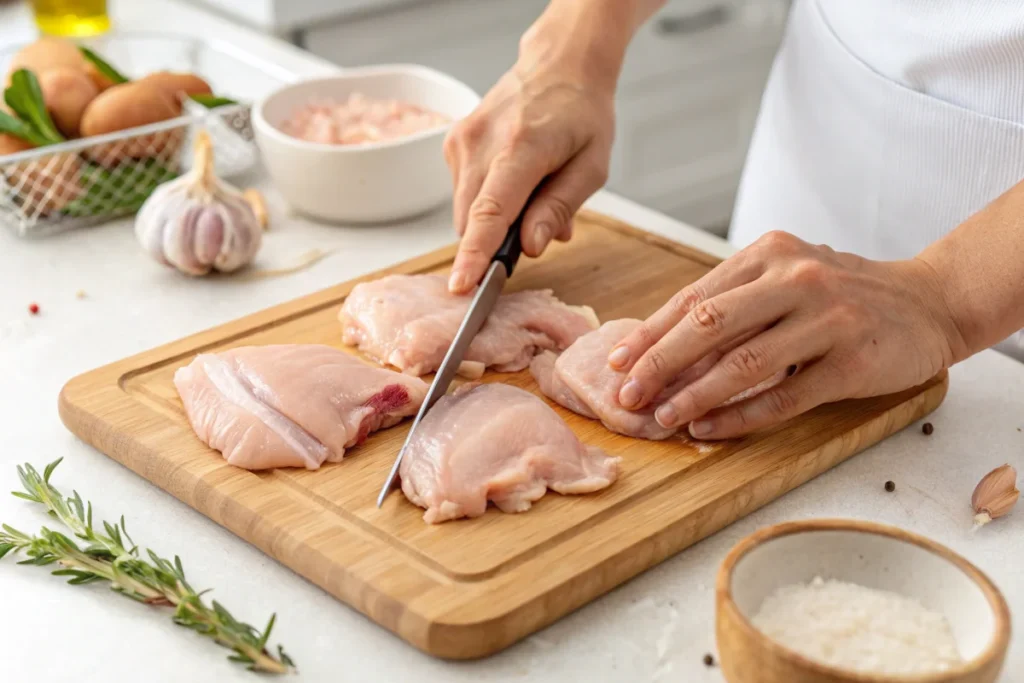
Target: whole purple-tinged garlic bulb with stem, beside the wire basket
x: 198, y: 224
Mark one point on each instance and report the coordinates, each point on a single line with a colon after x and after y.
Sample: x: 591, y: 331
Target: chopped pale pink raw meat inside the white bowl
x: 360, y: 120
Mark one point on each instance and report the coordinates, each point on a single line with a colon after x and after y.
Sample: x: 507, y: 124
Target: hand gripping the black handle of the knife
x: 549, y: 119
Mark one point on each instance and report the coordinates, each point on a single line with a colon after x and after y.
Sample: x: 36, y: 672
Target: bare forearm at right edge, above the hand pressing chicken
x: 982, y: 269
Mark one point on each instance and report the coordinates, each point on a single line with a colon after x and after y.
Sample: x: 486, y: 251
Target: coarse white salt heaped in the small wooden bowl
x: 859, y: 629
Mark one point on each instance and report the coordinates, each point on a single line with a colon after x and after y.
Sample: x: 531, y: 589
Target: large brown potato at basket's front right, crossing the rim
x: 129, y: 106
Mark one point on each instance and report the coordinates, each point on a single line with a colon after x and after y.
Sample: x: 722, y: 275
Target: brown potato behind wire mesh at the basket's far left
x: 41, y: 186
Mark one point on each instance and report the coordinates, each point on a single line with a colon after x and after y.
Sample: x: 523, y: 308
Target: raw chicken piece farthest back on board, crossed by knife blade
x: 409, y: 322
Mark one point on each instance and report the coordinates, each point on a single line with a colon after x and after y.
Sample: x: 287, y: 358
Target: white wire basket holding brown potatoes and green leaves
x: 92, y: 181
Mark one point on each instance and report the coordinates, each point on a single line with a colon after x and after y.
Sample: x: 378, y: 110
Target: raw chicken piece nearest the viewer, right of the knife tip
x: 497, y: 443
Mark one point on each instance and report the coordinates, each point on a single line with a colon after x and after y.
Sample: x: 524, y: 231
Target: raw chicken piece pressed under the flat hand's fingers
x: 582, y: 380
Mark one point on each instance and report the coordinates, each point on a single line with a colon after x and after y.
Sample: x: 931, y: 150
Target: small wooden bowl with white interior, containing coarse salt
x: 865, y: 553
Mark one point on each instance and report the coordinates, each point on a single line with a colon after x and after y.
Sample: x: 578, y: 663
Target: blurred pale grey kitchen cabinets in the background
x: 689, y: 96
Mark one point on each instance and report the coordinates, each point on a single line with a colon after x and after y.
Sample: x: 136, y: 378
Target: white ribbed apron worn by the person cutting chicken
x: 886, y: 123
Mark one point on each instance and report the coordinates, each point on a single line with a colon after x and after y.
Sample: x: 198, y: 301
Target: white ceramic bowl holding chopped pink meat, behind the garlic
x: 371, y: 183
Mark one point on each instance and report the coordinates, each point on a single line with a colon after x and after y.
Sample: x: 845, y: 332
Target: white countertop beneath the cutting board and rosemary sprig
x: 656, y: 628
